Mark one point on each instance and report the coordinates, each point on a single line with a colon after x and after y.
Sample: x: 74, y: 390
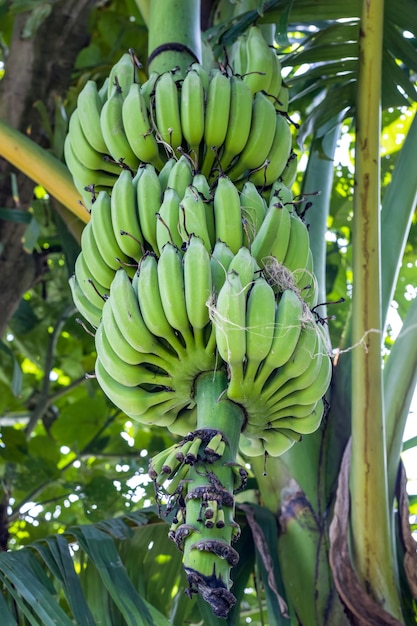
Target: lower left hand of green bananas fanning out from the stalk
x: 154, y: 337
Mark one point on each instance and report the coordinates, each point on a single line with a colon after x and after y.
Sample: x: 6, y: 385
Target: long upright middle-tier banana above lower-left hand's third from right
x: 149, y: 197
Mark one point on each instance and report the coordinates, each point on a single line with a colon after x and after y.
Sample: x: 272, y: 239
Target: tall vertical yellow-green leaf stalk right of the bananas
x: 370, y: 526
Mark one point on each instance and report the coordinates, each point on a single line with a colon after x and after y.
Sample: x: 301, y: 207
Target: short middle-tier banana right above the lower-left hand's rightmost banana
x: 193, y: 217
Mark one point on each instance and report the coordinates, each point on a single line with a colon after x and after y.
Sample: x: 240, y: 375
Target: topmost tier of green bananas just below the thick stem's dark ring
x: 232, y: 121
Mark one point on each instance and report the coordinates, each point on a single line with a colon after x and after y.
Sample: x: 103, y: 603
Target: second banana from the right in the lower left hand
x: 172, y: 291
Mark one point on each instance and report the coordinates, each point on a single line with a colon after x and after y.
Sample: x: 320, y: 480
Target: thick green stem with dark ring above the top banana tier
x: 175, y: 25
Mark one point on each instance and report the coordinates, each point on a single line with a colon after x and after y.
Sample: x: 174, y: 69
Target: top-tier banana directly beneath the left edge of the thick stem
x: 167, y: 112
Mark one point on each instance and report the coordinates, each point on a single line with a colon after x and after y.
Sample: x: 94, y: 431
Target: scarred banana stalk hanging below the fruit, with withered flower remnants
x: 204, y: 526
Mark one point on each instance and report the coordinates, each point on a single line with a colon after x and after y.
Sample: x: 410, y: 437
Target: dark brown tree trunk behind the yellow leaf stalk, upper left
x: 38, y: 68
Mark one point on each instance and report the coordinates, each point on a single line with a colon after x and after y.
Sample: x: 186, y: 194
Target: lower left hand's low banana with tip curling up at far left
x: 133, y: 401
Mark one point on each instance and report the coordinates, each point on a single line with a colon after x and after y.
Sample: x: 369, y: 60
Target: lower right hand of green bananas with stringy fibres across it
x: 277, y: 358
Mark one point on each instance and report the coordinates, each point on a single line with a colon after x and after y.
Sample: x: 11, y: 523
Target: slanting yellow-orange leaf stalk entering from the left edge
x: 42, y: 167
